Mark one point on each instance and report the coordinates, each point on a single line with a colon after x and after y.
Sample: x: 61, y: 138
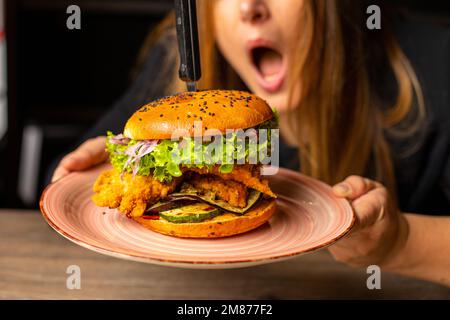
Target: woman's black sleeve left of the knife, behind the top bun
x: 150, y: 84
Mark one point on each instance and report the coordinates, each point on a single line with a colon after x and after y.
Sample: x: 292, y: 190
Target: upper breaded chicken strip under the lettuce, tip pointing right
x: 247, y: 174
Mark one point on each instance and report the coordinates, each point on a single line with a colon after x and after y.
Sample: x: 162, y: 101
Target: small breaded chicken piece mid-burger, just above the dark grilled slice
x: 233, y: 192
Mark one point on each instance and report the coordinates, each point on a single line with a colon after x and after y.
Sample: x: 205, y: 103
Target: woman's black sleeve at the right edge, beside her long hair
x: 423, y: 176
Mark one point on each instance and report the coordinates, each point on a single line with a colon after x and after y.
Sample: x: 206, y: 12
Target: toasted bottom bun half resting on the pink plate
x: 224, y: 225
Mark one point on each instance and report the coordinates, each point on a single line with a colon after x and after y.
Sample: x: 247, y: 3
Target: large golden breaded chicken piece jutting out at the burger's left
x: 130, y: 194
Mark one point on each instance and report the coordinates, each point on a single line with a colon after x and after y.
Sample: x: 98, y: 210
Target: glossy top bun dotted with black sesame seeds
x: 216, y: 109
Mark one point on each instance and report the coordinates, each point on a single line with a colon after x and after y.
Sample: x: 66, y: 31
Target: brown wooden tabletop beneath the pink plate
x: 34, y: 259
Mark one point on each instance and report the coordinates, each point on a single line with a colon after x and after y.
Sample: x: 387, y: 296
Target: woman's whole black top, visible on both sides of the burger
x: 423, y: 177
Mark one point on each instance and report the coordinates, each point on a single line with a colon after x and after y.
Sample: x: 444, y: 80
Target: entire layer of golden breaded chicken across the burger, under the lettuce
x: 132, y: 195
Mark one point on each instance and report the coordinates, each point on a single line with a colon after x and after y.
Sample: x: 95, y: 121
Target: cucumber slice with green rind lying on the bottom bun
x: 196, y: 212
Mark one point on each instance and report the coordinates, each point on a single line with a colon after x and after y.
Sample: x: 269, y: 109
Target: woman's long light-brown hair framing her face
x: 343, y: 113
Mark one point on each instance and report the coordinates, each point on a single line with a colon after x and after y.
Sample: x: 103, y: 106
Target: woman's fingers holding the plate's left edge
x: 88, y: 154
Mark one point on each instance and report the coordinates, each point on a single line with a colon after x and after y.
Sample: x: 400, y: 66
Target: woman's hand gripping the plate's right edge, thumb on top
x: 380, y: 230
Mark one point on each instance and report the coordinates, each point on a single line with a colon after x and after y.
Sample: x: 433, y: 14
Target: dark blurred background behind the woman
x: 60, y: 81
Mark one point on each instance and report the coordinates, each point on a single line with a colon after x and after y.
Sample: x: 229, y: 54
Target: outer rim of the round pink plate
x: 193, y: 264
